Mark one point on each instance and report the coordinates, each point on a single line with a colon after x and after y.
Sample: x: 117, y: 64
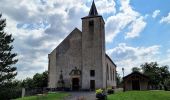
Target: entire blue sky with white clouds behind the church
x: 136, y: 31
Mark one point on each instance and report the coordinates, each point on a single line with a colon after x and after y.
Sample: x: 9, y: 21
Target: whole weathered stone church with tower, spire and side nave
x: 80, y: 61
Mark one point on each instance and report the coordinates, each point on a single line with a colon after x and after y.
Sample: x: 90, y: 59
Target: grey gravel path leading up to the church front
x: 81, y: 95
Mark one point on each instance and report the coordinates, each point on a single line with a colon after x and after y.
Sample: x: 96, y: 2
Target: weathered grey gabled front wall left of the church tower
x: 65, y: 57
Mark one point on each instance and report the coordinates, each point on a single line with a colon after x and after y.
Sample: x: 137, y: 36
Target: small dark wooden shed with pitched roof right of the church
x: 135, y: 81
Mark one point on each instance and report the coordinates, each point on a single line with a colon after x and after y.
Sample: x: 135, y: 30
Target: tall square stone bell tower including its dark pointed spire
x: 93, y: 50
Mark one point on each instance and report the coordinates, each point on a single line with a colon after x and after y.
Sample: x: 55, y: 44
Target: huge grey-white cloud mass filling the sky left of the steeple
x: 38, y: 27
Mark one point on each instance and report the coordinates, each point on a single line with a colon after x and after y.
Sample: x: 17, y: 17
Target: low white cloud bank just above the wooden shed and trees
x: 128, y: 57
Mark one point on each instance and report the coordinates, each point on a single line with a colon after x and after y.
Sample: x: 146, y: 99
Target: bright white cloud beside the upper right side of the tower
x: 121, y: 20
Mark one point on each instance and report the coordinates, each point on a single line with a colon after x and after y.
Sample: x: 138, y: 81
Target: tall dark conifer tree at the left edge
x: 7, y: 70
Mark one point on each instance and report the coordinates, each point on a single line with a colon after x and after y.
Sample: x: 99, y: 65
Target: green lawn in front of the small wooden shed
x: 140, y: 95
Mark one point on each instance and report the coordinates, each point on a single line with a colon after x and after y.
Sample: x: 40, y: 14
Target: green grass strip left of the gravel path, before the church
x: 49, y: 96
